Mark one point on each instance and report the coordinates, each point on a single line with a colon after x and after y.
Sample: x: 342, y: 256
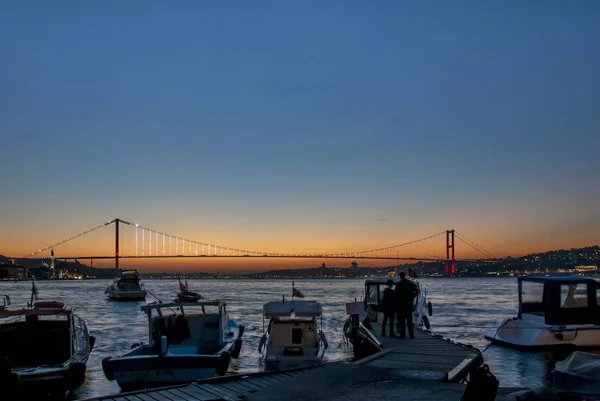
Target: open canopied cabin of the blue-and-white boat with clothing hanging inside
x: 195, y: 327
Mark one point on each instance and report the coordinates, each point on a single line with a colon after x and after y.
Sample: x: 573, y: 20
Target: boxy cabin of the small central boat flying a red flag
x: 292, y: 326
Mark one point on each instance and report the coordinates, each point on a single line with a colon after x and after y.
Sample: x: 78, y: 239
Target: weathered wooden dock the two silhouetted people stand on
x: 428, y: 357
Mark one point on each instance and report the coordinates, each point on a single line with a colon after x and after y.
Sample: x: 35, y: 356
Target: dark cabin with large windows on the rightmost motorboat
x: 560, y: 300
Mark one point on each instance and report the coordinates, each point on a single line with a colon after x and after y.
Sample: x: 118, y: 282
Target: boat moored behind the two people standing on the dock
x: 365, y: 314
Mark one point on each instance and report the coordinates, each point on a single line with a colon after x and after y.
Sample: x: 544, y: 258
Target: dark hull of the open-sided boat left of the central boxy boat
x: 156, y: 370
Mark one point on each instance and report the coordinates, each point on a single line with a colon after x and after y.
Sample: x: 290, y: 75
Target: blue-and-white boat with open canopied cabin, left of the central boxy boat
x: 187, y: 341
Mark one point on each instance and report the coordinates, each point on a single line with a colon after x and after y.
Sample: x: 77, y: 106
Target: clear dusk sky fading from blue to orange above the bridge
x: 314, y: 126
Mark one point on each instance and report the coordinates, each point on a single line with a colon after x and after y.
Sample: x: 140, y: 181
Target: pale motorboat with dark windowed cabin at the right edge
x: 553, y: 312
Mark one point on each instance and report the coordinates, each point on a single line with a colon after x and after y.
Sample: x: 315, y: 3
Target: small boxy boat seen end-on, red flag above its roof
x: 292, y: 338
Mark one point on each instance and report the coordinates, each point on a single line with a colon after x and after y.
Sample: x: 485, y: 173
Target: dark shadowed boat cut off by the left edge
x: 45, y: 347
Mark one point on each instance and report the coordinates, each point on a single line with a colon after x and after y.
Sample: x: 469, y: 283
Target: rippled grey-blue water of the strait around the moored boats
x: 463, y: 309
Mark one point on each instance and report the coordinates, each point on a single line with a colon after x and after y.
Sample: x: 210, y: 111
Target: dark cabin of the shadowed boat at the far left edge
x: 43, y: 335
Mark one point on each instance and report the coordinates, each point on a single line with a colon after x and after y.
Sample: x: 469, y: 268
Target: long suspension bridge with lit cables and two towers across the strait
x: 148, y: 243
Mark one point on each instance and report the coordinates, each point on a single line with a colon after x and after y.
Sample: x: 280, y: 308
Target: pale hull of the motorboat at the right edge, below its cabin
x: 532, y: 333
